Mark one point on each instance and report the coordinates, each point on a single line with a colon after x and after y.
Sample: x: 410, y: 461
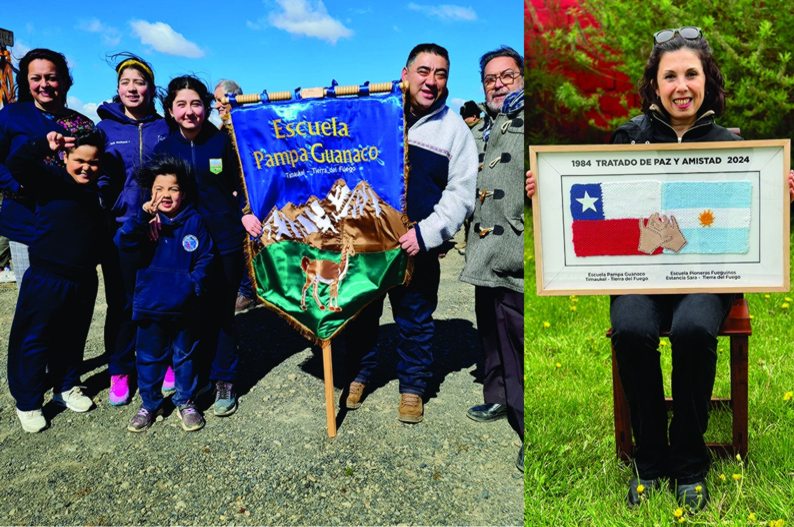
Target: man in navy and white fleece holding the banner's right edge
x: 442, y: 159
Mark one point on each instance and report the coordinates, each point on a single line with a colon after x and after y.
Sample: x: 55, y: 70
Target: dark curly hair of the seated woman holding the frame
x: 713, y: 98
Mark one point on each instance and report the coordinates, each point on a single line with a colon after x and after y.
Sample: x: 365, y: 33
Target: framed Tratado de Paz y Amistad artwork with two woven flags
x: 570, y: 259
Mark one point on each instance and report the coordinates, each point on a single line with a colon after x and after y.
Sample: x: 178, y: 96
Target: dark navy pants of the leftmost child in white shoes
x: 48, y: 334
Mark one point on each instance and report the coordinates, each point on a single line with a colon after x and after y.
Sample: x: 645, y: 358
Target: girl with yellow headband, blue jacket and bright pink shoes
x: 133, y: 128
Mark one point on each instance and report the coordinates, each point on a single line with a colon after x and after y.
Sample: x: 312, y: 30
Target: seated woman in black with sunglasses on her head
x: 682, y: 92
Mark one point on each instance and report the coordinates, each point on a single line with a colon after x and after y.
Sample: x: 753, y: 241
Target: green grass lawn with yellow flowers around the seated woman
x: 572, y: 474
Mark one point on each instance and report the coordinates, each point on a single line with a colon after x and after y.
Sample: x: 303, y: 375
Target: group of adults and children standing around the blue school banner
x: 158, y: 203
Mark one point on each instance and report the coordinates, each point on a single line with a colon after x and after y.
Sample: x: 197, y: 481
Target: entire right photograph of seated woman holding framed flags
x: 659, y: 385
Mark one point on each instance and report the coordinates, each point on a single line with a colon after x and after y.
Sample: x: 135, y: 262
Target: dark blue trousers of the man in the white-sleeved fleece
x: 412, y: 306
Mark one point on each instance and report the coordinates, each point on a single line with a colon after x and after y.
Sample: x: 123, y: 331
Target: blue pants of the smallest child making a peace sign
x: 162, y: 343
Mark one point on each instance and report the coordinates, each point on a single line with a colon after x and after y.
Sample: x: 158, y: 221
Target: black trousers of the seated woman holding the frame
x: 694, y: 321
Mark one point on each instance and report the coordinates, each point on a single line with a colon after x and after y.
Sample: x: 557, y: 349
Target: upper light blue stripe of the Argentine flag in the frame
x: 701, y: 194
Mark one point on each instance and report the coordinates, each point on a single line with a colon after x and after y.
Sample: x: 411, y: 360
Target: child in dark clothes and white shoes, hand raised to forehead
x: 56, y: 298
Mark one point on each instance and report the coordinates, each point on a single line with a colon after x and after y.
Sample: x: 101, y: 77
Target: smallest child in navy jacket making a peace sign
x: 172, y: 275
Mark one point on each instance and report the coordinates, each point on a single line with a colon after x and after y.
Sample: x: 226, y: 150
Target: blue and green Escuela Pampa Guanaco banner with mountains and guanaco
x: 326, y: 178
